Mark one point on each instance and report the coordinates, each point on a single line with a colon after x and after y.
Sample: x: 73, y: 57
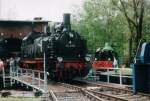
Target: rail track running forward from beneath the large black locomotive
x: 67, y: 92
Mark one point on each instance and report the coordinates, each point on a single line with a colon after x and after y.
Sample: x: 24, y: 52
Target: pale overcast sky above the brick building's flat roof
x: 28, y: 9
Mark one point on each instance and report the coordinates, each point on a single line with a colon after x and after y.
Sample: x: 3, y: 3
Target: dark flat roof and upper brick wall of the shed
x: 18, y: 29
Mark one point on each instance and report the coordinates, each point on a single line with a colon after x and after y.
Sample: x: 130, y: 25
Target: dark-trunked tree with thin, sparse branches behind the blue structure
x: 133, y: 11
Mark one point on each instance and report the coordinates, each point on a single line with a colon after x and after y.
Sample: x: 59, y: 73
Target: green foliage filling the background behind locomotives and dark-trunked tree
x: 101, y: 21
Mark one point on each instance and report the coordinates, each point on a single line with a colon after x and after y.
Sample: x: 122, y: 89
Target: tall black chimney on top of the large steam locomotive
x: 66, y: 21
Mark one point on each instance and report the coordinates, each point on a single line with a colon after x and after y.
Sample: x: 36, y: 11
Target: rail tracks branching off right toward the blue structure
x: 113, y: 93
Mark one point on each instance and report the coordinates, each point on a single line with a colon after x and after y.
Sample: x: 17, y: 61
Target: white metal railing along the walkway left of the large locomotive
x: 33, y: 78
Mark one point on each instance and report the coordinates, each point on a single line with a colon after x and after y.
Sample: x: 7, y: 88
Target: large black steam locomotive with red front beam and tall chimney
x: 65, y: 49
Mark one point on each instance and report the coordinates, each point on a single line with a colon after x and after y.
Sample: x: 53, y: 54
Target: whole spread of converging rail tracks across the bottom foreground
x: 92, y: 92
